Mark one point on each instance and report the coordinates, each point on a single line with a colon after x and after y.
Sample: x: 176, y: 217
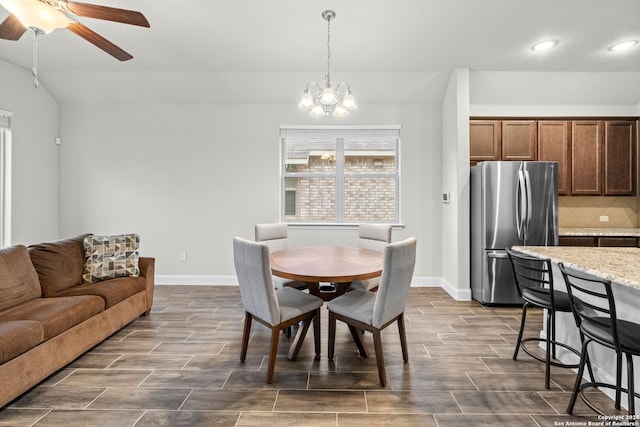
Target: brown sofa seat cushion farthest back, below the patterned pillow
x: 112, y: 291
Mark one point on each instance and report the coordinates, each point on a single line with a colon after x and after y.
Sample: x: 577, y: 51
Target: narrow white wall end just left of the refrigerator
x: 455, y: 180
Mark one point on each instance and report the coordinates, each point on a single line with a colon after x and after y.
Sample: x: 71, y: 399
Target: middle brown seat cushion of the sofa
x: 56, y: 315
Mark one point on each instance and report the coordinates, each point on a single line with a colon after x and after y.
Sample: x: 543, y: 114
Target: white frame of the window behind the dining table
x: 340, y: 133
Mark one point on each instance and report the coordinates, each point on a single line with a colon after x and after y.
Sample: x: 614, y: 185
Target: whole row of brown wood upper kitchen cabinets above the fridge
x: 596, y: 157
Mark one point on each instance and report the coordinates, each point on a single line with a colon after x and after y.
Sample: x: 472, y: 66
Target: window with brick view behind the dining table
x: 340, y: 174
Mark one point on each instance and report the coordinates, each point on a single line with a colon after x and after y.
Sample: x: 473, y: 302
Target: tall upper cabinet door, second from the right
x: 586, y: 157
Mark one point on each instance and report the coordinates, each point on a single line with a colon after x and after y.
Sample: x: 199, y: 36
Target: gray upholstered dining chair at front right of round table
x: 374, y: 311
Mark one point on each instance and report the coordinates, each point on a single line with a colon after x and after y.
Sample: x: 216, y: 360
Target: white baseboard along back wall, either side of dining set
x: 176, y: 280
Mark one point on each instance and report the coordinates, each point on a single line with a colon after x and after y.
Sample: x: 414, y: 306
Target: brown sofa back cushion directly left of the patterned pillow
x: 59, y: 264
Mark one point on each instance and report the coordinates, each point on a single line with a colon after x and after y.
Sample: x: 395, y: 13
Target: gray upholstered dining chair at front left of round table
x: 276, y: 309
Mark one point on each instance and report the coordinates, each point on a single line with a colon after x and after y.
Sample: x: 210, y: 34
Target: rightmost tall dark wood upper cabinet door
x: 620, y: 158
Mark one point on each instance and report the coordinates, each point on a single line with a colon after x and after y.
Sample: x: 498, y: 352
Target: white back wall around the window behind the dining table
x: 190, y: 177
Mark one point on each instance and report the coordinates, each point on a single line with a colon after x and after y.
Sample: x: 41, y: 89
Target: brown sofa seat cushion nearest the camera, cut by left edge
x: 19, y: 336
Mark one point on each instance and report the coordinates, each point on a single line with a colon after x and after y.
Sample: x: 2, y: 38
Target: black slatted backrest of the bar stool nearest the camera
x: 592, y: 301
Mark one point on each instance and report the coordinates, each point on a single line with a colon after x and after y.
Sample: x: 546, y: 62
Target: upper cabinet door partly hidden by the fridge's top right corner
x: 554, y: 145
